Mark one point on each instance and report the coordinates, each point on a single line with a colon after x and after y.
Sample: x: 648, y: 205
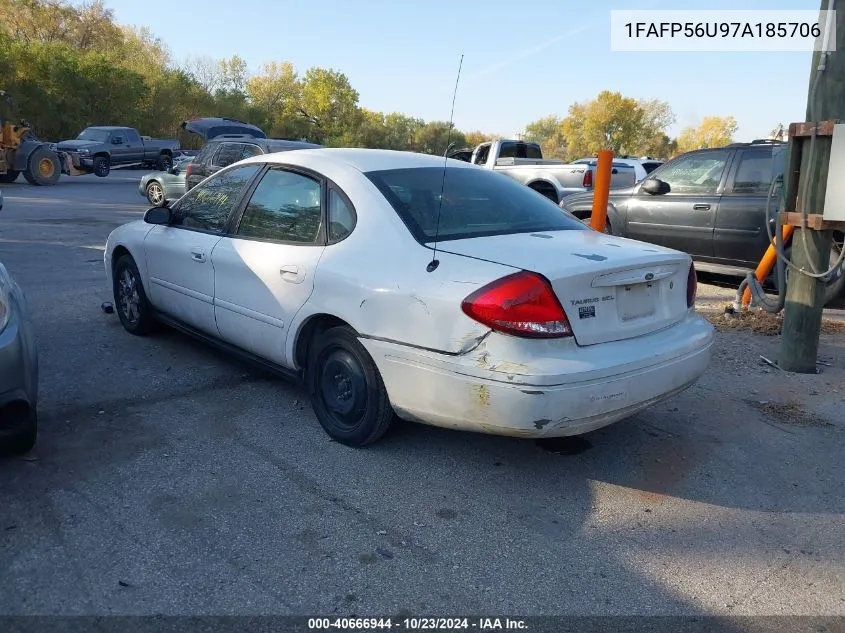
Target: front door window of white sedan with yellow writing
x: 207, y: 206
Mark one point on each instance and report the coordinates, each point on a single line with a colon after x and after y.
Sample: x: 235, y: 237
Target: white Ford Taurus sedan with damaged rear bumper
x: 393, y: 284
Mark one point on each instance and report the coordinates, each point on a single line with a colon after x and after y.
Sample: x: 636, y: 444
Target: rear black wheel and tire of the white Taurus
x: 346, y: 389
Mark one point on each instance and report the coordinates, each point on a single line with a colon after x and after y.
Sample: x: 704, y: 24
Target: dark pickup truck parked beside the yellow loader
x: 97, y: 149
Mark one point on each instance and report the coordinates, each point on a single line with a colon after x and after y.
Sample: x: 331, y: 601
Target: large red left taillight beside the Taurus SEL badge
x: 522, y: 304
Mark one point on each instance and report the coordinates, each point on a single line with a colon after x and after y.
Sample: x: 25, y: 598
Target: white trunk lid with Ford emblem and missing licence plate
x: 610, y: 288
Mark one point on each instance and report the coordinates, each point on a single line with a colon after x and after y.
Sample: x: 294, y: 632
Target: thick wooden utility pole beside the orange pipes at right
x: 799, y: 343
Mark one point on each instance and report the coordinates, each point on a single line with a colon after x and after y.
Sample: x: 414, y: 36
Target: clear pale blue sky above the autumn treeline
x: 522, y: 59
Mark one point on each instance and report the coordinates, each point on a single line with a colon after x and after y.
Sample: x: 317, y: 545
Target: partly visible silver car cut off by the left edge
x: 18, y: 369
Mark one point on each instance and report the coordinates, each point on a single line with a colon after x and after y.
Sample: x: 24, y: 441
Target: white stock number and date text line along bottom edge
x: 416, y: 624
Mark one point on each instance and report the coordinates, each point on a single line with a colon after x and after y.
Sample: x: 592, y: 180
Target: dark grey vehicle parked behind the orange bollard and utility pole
x: 710, y: 203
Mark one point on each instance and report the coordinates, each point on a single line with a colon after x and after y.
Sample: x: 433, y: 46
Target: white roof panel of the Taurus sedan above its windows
x: 364, y: 160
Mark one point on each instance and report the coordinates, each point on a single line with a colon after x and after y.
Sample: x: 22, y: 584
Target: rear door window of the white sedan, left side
x: 285, y: 207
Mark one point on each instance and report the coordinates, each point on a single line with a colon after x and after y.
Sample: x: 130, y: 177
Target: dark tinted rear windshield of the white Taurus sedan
x: 476, y: 203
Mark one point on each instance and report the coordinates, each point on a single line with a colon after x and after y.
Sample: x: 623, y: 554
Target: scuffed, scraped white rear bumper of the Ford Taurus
x: 576, y: 391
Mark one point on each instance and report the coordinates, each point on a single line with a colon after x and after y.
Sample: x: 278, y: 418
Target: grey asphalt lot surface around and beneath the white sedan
x: 170, y: 478
